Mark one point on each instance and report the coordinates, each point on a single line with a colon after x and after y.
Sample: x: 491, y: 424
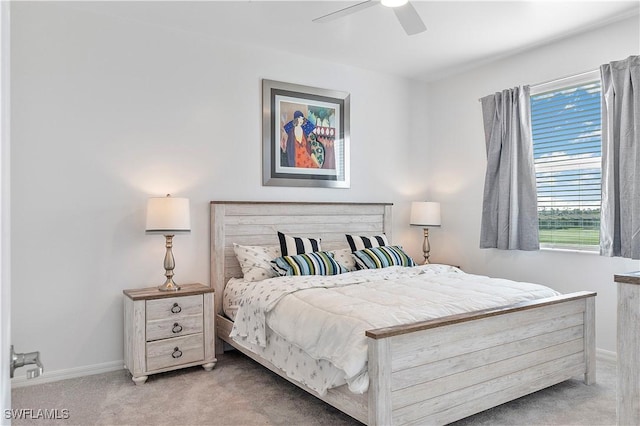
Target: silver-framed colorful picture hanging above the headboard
x: 305, y: 136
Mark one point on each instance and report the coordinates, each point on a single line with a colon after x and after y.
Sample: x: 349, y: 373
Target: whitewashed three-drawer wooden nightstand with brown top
x: 168, y: 330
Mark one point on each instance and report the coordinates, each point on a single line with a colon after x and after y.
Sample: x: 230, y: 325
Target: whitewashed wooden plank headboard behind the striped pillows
x: 257, y: 224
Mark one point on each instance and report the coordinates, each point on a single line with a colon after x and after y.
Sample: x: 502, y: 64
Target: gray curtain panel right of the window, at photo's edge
x: 620, y: 214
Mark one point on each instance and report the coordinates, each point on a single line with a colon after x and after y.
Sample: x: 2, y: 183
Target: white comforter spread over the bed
x: 327, y: 316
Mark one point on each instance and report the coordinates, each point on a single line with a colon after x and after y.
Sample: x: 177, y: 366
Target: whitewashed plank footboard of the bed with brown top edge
x: 440, y: 371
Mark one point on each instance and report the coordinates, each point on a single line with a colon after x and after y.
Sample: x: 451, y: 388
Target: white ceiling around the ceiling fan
x: 460, y: 34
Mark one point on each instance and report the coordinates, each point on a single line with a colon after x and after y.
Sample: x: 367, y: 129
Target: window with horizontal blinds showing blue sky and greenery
x: 567, y: 151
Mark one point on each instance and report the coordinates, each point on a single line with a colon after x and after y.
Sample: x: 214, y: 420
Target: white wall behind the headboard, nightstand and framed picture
x: 107, y: 112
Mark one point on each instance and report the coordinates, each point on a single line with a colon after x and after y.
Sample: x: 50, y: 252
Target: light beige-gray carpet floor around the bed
x: 240, y: 392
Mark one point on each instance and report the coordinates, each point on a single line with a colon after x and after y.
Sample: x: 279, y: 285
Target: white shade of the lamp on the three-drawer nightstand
x: 168, y: 215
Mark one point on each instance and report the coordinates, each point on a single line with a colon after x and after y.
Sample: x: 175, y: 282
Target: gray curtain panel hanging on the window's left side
x: 510, y: 205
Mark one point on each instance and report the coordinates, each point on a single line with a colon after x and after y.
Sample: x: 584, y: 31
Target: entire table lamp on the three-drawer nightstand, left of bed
x: 168, y: 216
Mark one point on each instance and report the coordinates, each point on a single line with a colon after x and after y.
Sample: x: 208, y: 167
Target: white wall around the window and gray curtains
x: 457, y: 160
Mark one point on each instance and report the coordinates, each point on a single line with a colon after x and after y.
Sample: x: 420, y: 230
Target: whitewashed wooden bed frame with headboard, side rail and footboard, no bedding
x: 428, y: 372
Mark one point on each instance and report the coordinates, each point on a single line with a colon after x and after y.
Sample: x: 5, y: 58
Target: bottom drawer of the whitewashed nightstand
x: 176, y: 351
